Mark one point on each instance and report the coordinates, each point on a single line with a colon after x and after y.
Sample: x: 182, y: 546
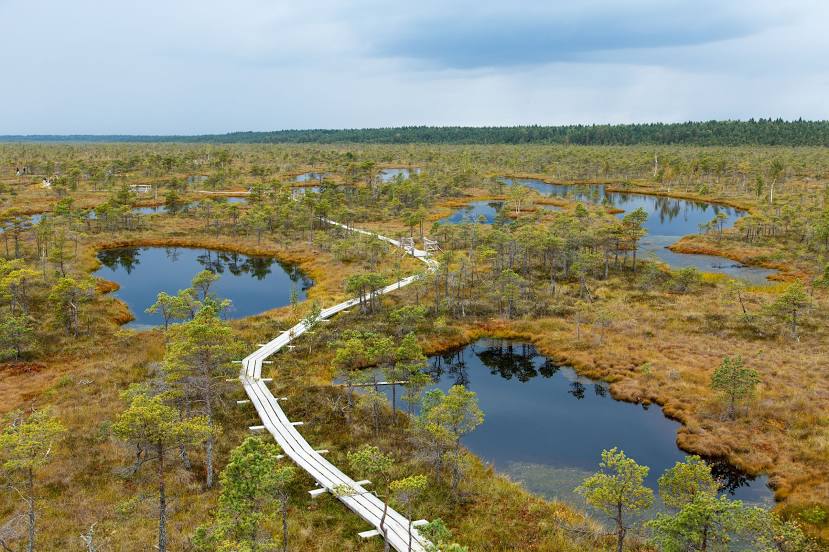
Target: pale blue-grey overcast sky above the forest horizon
x: 205, y: 66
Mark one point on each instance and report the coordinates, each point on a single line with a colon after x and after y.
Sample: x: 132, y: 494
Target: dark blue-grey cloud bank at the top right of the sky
x: 546, y: 32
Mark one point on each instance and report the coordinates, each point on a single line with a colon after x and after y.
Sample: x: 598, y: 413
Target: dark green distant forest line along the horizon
x: 766, y: 132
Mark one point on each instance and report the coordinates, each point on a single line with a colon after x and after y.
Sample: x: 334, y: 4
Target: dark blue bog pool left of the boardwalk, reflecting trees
x: 254, y: 284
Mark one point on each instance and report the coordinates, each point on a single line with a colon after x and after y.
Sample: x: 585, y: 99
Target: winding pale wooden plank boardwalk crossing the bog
x: 328, y: 476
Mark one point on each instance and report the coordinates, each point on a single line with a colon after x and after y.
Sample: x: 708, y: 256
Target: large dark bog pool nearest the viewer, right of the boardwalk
x: 546, y: 426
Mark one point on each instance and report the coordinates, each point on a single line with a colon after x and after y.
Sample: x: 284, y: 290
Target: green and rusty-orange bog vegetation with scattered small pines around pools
x: 115, y: 439
